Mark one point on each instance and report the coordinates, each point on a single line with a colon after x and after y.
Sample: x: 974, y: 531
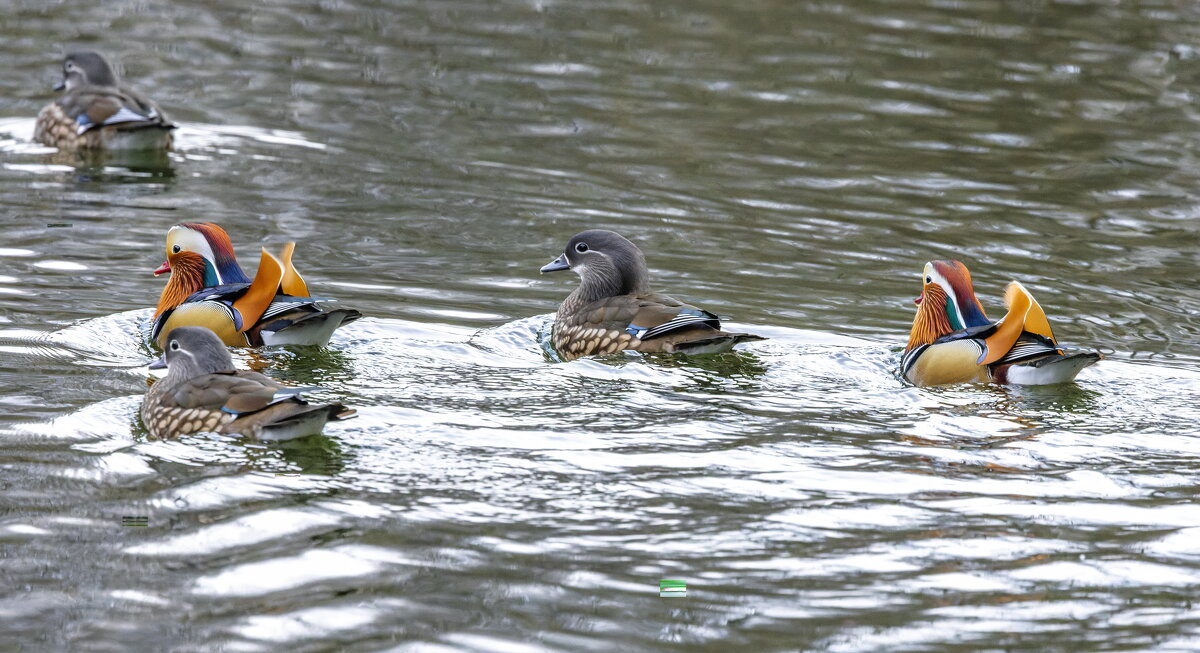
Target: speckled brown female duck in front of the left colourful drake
x: 202, y: 392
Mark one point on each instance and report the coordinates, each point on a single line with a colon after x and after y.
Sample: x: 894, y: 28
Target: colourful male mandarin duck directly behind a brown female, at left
x: 208, y: 289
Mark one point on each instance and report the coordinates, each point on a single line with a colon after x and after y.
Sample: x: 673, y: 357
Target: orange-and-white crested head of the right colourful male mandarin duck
x: 947, y: 303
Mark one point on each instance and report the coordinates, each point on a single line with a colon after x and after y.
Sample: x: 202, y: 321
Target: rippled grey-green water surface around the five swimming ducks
x: 789, y: 165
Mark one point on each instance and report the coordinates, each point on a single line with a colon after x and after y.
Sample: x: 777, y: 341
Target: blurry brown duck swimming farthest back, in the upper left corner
x: 98, y: 112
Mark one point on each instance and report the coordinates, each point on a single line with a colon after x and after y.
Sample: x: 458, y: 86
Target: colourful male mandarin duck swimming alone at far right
x: 953, y: 342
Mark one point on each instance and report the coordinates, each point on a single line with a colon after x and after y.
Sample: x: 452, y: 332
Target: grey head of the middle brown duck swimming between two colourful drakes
x: 607, y: 262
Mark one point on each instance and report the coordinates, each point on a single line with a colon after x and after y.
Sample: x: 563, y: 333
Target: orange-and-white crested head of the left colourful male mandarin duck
x: 200, y: 255
